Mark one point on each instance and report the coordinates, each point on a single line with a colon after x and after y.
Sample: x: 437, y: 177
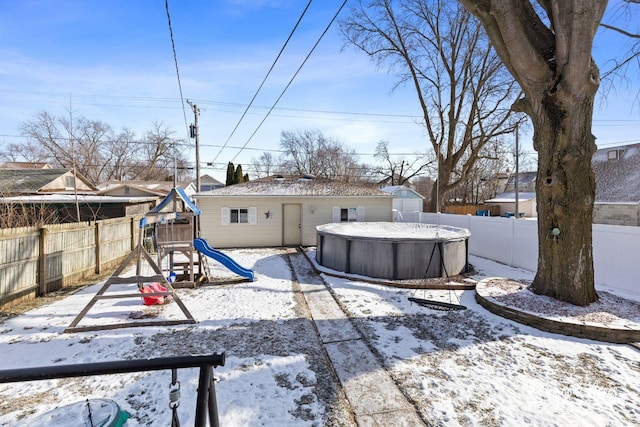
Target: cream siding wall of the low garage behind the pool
x: 269, y: 230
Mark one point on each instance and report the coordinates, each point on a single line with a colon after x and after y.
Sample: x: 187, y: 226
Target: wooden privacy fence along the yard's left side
x: 37, y: 260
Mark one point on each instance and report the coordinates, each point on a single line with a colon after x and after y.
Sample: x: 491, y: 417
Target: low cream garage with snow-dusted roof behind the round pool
x: 285, y: 210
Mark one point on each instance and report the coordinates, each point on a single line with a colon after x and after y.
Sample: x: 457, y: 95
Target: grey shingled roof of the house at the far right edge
x: 617, y: 172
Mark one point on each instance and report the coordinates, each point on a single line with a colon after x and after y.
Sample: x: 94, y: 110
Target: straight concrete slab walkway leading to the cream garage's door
x: 374, y: 397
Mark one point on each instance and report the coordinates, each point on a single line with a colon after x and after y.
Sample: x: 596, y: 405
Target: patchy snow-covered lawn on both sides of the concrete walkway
x: 457, y: 367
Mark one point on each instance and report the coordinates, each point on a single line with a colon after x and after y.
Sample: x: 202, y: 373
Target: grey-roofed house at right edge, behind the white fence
x: 617, y: 172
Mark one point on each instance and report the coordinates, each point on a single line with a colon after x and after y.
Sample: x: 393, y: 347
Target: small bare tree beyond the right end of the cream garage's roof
x: 400, y: 171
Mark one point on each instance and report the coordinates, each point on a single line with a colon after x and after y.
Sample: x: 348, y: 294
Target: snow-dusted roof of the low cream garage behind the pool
x: 296, y: 186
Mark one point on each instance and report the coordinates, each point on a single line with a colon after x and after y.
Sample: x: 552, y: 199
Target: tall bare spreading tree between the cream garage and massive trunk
x: 462, y: 88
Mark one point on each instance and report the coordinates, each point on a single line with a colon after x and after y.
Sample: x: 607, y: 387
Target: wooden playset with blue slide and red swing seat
x: 181, y: 262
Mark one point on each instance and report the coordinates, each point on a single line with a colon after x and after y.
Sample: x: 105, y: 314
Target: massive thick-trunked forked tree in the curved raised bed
x: 548, y: 49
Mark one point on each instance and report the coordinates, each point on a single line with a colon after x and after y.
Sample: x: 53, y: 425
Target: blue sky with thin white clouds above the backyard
x: 113, y: 61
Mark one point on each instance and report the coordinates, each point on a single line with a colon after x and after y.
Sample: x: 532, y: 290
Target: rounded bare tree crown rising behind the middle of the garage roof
x: 310, y: 152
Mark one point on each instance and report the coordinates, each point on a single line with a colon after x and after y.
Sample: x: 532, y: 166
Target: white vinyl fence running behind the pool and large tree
x: 514, y: 242
